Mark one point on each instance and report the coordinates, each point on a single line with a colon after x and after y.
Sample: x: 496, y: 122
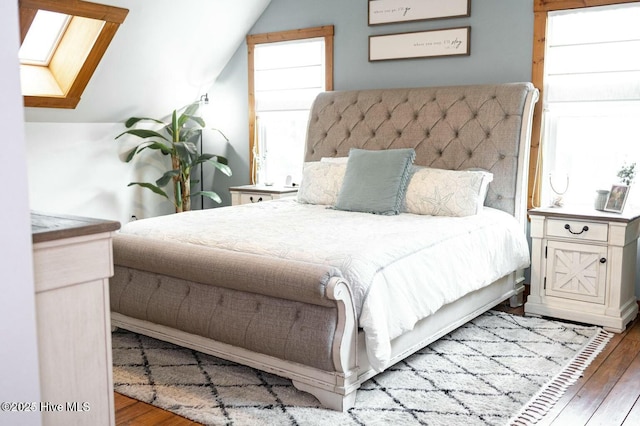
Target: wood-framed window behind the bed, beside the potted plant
x: 286, y: 72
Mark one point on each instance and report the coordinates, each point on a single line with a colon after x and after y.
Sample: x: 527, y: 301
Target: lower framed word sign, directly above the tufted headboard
x: 422, y: 44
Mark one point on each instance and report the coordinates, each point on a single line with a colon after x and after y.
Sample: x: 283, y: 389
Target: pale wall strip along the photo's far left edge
x: 19, y: 380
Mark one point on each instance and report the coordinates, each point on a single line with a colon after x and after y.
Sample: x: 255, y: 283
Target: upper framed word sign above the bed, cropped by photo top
x: 389, y: 11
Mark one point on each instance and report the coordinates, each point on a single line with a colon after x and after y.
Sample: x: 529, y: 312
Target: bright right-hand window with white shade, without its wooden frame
x: 591, y: 100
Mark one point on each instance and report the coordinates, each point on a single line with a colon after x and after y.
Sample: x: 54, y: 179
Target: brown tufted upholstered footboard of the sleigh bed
x: 290, y: 318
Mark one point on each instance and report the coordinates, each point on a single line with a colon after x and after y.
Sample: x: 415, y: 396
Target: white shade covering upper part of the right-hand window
x: 592, y: 55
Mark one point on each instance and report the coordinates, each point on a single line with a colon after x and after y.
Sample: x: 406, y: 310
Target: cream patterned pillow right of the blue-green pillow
x: 439, y: 192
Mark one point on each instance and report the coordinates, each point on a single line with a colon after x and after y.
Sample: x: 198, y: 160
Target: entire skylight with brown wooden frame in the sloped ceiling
x: 62, y: 44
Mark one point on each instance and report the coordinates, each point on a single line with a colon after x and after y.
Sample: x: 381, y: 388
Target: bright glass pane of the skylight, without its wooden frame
x: 43, y: 37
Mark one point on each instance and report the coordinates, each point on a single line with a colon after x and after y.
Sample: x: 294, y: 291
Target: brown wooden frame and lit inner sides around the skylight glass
x: 68, y: 71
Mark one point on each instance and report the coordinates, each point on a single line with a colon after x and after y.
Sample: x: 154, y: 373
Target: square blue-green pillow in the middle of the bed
x: 375, y: 181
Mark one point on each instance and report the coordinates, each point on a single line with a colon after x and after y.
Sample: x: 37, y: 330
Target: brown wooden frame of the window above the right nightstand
x: 541, y: 9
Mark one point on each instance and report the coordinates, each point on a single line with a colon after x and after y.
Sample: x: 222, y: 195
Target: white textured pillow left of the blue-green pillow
x: 321, y: 182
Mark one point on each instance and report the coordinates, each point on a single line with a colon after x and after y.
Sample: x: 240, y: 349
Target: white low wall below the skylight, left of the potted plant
x: 78, y: 169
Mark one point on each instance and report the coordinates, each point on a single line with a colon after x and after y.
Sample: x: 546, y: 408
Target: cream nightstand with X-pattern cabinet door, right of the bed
x: 584, y: 266
